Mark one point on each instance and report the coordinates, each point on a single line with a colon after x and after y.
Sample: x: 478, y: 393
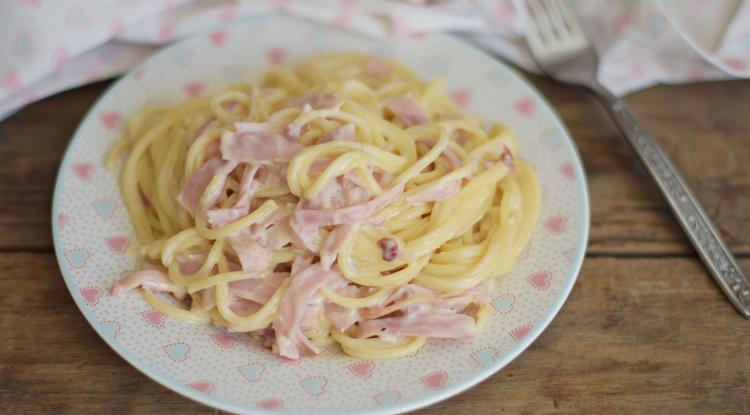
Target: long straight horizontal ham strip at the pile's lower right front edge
x: 441, y: 325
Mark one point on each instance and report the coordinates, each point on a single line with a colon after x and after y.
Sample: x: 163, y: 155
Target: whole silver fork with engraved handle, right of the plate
x: 563, y: 52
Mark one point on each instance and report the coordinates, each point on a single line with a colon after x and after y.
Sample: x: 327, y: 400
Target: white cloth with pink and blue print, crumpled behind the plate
x: 49, y: 46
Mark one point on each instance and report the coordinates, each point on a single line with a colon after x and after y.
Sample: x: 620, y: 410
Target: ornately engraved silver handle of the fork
x: 688, y: 211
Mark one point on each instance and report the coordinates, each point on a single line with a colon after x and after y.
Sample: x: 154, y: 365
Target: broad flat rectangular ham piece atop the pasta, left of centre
x: 262, y: 147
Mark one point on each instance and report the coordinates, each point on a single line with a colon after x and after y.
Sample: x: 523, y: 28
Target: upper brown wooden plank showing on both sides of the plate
x: 700, y: 126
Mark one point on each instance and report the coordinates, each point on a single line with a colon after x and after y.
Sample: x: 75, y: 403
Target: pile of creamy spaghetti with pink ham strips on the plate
x: 342, y: 201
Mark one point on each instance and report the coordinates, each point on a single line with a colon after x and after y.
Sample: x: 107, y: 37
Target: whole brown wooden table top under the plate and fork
x: 645, y: 330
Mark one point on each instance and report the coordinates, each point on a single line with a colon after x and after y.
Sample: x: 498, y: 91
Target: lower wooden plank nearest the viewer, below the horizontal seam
x: 636, y: 336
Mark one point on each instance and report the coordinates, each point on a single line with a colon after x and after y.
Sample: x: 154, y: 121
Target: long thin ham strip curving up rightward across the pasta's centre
x: 349, y: 214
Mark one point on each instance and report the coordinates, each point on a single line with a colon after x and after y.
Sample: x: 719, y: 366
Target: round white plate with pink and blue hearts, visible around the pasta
x: 92, y: 233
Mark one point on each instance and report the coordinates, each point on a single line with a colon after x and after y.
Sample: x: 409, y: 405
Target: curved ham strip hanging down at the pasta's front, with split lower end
x: 301, y: 293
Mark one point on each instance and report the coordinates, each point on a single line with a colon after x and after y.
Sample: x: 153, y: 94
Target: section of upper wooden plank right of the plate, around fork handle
x: 699, y: 127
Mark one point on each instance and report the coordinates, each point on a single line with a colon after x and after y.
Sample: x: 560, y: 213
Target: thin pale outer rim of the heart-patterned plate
x: 424, y: 400
